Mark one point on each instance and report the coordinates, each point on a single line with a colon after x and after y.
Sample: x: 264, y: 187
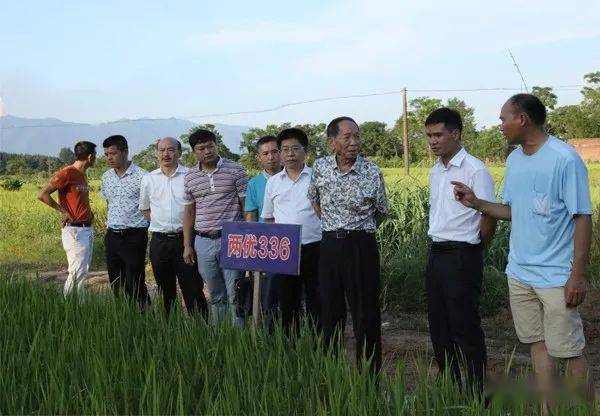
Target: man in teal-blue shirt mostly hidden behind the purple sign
x: 268, y: 156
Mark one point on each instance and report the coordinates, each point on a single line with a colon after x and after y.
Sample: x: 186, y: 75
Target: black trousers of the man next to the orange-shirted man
x: 125, y: 260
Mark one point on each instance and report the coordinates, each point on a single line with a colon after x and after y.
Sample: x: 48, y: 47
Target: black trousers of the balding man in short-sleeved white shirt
x: 166, y: 256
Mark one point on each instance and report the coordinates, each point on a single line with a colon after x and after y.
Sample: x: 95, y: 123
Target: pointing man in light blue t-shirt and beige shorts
x: 546, y: 196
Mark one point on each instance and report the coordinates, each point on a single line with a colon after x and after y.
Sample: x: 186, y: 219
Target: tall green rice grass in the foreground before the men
x: 98, y: 355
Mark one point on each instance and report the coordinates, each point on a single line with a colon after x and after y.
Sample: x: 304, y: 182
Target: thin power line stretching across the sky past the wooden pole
x: 297, y: 103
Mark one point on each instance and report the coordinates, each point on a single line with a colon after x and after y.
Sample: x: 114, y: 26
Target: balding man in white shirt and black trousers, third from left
x: 162, y: 201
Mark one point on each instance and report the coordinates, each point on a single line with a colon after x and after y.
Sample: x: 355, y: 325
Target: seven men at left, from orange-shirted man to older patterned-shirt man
x: 338, y: 203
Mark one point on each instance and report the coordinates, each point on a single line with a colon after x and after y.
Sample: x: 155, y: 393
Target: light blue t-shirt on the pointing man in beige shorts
x: 545, y: 190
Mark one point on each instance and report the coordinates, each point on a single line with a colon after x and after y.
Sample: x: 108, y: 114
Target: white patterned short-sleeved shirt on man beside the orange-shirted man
x: 123, y: 196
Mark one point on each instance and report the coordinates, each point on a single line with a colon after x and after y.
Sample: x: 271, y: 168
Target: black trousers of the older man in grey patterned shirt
x: 349, y: 271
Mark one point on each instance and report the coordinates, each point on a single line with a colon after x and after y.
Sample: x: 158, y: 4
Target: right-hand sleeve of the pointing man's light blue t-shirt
x: 575, y: 187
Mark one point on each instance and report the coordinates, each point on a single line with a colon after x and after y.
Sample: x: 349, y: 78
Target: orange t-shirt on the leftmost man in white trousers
x: 73, y: 193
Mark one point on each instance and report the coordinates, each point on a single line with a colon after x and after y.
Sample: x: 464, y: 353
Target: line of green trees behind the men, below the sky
x: 380, y: 142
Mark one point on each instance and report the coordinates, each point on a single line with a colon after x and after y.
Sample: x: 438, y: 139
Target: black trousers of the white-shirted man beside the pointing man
x: 453, y: 281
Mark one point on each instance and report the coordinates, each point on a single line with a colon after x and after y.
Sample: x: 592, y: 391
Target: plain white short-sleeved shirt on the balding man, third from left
x: 165, y: 197
